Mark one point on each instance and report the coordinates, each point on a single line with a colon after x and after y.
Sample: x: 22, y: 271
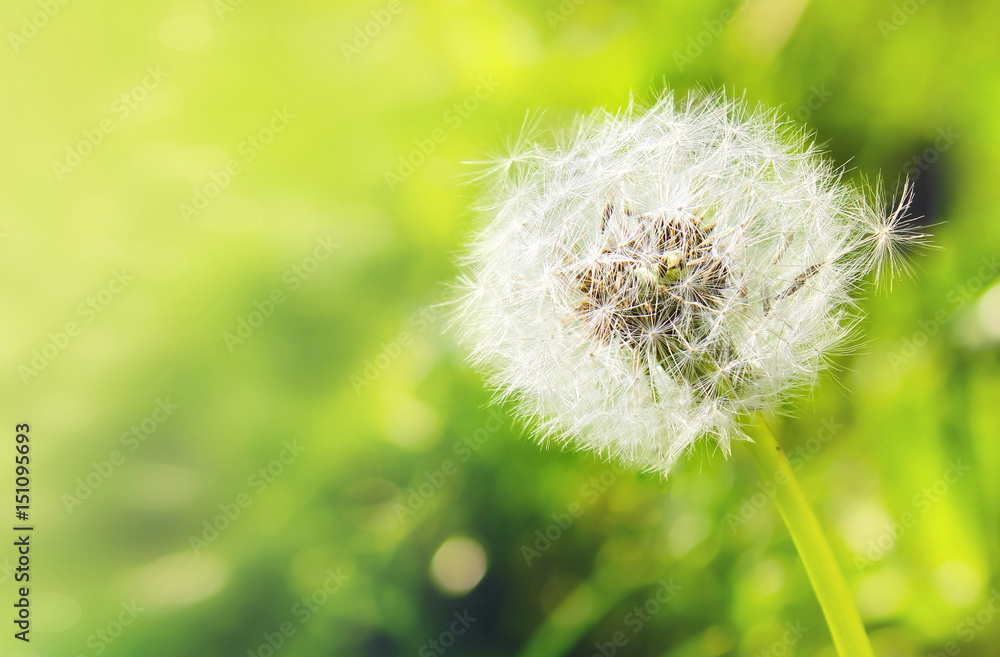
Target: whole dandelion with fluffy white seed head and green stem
x: 659, y: 276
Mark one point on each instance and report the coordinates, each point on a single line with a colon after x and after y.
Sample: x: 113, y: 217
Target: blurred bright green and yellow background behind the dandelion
x: 224, y: 227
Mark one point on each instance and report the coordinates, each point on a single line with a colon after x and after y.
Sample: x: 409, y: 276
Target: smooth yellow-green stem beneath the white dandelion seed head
x: 834, y: 597
